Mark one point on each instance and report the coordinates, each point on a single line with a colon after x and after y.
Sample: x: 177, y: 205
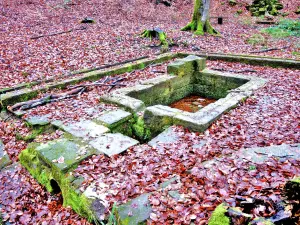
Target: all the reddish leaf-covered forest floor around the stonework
x: 269, y: 117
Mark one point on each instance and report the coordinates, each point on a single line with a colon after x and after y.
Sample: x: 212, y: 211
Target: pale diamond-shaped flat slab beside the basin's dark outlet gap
x: 112, y: 144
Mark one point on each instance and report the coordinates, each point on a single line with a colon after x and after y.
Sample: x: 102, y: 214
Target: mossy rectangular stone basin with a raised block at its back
x: 186, y: 77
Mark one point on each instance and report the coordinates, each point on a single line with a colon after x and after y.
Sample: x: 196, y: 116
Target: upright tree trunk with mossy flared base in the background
x: 200, y: 21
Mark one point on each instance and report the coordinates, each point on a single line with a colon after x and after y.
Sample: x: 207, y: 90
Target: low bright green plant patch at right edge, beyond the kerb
x: 285, y: 28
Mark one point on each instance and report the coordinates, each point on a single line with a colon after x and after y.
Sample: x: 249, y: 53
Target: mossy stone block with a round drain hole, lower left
x: 39, y: 164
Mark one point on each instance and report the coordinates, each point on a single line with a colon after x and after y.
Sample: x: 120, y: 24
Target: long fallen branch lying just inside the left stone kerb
x: 46, y: 99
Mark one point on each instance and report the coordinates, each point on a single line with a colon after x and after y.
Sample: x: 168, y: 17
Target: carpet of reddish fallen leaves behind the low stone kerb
x: 115, y: 35
